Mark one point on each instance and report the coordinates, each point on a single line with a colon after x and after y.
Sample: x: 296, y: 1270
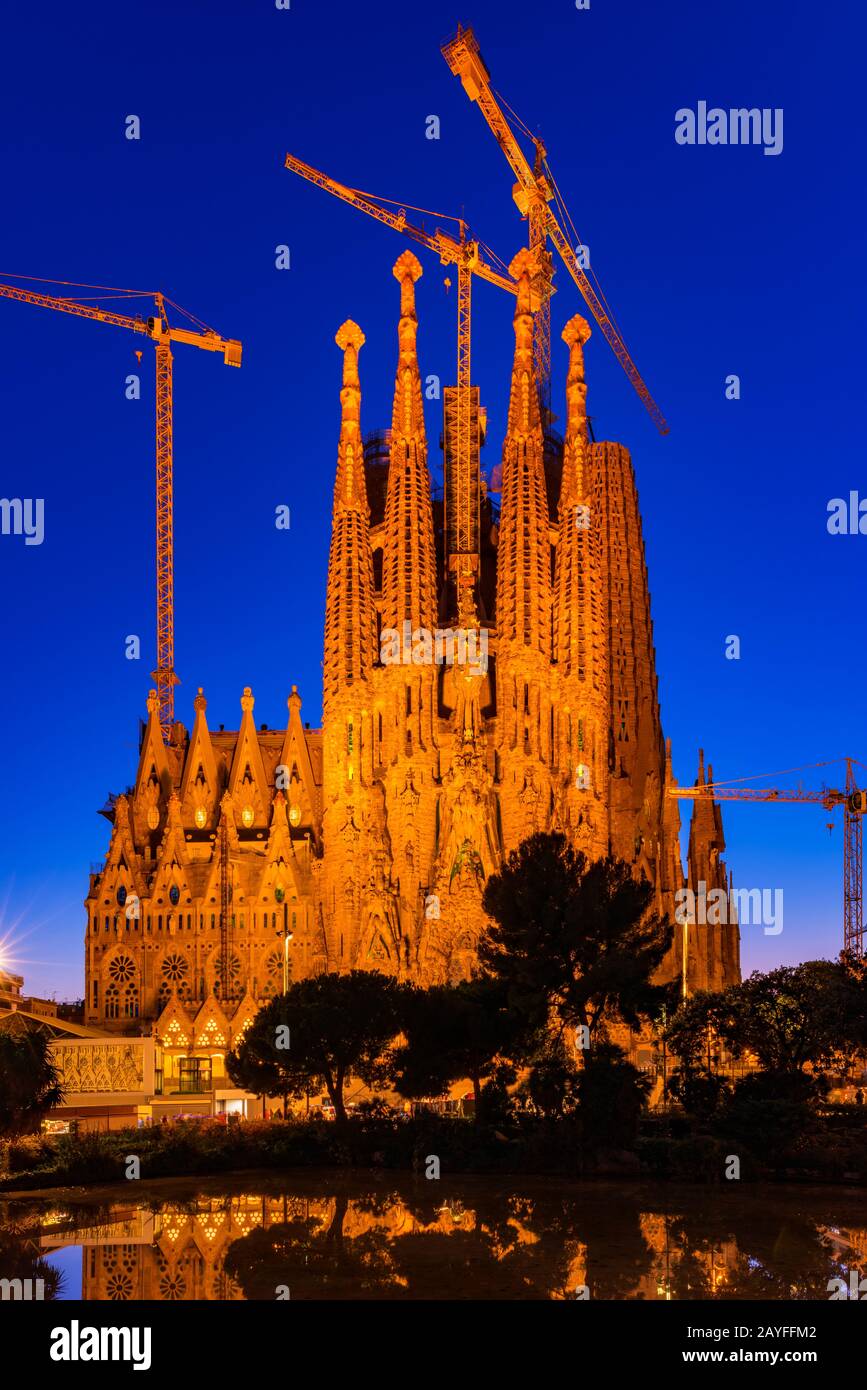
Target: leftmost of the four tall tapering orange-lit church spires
x: 349, y: 604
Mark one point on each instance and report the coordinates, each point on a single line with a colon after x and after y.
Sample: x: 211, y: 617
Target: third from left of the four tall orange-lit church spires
x: 525, y: 598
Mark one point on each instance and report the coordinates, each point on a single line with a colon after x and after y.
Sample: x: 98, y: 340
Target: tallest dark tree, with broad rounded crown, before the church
x: 573, y: 939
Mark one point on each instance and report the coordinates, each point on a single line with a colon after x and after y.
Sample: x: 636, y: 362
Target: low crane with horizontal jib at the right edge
x: 855, y: 807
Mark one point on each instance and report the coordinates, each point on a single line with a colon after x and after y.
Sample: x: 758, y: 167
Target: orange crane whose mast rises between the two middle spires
x: 468, y: 256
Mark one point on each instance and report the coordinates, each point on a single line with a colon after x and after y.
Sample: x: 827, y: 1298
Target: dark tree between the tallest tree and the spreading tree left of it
x: 455, y: 1032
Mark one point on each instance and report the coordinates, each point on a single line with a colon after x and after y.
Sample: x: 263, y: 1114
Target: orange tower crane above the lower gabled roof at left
x: 162, y: 334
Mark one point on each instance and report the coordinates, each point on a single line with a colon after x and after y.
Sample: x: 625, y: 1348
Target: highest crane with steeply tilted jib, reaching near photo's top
x: 534, y: 193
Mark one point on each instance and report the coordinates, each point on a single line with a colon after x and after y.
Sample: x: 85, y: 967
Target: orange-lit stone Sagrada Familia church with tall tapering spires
x: 488, y: 673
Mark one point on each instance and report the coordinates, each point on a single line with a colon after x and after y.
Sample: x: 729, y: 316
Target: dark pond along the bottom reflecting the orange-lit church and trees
x: 355, y: 1236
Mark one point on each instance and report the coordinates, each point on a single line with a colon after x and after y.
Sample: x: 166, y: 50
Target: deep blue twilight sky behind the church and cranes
x: 716, y: 261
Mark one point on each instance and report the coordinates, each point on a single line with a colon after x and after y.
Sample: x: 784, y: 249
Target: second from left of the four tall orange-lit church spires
x: 409, y: 568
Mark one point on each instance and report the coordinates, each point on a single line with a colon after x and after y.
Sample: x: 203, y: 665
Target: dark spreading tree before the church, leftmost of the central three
x: 323, y: 1032
